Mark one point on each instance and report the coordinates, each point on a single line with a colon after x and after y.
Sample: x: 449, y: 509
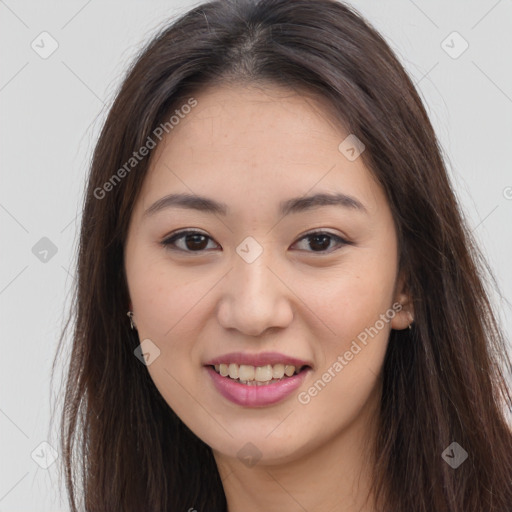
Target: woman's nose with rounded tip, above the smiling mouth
x: 254, y: 298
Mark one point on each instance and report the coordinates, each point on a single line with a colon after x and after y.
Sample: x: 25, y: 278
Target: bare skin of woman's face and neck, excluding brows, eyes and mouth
x: 251, y: 148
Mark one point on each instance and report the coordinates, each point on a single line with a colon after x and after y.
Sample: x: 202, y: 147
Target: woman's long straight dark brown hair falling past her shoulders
x: 123, y: 447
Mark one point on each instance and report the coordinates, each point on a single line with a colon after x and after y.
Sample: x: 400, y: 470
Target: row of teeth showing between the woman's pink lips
x: 258, y: 375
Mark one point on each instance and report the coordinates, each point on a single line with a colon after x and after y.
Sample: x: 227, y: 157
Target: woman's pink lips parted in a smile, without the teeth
x: 256, y: 396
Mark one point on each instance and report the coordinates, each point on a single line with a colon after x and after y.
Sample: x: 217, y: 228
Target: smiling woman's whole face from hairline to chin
x: 284, y: 274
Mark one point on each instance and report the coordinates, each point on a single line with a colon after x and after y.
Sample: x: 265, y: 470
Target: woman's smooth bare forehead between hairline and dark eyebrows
x: 259, y: 142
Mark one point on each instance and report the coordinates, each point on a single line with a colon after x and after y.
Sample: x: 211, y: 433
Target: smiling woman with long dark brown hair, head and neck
x: 307, y: 326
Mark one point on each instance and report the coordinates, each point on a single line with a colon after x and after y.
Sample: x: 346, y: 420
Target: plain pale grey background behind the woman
x: 51, y: 113
